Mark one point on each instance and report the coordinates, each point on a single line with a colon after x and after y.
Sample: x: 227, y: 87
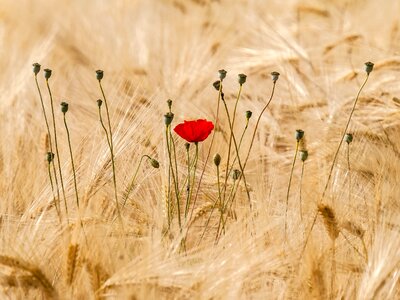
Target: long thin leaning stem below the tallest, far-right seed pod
x: 333, y: 163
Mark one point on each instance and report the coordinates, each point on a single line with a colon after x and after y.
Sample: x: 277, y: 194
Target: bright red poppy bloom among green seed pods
x: 194, y: 131
